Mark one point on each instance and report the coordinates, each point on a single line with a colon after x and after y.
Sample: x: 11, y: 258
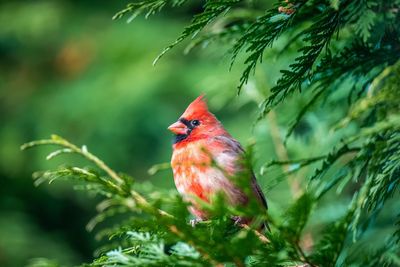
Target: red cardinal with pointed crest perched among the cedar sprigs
x: 205, y: 158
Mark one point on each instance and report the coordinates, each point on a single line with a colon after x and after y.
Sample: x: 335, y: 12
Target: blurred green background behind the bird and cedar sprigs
x: 67, y: 68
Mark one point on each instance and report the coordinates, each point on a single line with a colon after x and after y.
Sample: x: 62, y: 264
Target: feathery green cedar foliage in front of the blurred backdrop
x: 352, y: 46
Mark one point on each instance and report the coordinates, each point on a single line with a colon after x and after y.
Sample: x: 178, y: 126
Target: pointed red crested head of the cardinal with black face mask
x: 197, y: 122
